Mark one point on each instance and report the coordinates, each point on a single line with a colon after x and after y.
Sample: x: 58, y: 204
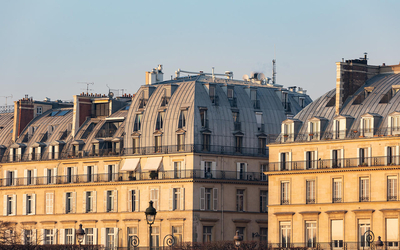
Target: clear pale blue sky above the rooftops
x: 46, y: 47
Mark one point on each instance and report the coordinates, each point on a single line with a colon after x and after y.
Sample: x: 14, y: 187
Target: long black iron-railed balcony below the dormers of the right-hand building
x: 333, y: 163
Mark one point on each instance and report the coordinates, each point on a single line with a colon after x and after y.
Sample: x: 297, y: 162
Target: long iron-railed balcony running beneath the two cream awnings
x: 132, y: 176
